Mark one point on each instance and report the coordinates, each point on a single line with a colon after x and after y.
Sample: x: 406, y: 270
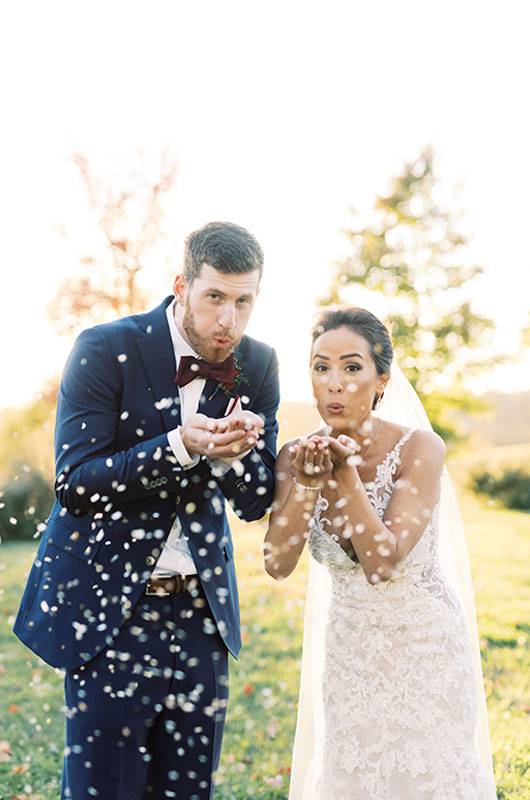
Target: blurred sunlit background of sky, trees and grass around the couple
x: 379, y: 152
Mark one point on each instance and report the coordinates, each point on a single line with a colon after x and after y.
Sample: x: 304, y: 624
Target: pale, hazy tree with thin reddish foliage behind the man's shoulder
x: 129, y: 218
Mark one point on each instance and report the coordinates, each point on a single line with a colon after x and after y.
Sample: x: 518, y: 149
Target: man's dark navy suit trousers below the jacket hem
x: 145, y: 717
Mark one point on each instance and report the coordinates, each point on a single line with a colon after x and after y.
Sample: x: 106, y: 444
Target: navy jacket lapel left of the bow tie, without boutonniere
x: 158, y: 355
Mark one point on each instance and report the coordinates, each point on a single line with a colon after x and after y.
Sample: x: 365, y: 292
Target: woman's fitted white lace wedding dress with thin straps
x: 398, y: 690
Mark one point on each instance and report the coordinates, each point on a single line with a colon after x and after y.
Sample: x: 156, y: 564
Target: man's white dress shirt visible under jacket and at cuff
x: 176, y: 558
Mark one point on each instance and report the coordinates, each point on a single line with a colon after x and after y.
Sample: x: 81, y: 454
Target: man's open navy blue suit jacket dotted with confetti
x: 119, y: 487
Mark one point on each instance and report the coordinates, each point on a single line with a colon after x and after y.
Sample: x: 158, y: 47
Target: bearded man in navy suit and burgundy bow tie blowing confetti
x: 161, y: 417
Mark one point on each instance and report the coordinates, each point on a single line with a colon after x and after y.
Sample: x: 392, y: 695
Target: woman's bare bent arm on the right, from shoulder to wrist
x: 381, y: 544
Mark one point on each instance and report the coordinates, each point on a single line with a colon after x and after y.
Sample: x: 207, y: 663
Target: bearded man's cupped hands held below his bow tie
x: 229, y: 437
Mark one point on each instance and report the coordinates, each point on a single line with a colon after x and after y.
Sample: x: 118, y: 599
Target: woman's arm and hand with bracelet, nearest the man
x: 293, y: 505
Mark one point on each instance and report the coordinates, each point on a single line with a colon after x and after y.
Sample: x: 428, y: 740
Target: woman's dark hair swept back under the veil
x: 366, y: 325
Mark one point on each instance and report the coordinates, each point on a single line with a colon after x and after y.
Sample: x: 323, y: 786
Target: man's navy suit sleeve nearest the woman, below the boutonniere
x: 249, y: 485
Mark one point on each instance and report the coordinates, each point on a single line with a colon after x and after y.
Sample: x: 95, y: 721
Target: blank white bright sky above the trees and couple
x: 282, y: 115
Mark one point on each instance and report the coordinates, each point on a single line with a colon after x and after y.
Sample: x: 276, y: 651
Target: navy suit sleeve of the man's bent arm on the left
x: 91, y: 475
